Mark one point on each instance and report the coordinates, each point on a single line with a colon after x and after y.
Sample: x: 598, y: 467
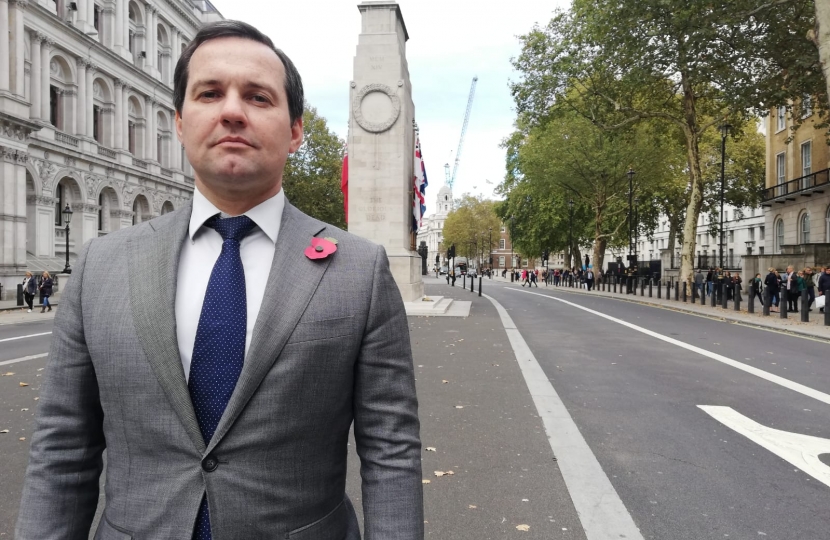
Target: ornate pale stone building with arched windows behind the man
x: 87, y: 120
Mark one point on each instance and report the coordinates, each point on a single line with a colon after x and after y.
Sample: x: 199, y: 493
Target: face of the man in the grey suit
x: 235, y: 124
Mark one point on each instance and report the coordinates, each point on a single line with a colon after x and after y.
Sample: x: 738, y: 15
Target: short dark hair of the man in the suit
x: 228, y: 28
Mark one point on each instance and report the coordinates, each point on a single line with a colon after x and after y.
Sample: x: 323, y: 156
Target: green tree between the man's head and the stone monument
x: 312, y: 174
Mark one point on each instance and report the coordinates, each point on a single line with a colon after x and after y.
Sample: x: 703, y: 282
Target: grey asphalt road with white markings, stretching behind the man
x: 705, y: 429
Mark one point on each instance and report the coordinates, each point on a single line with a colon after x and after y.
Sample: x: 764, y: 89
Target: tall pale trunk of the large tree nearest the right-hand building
x: 690, y: 129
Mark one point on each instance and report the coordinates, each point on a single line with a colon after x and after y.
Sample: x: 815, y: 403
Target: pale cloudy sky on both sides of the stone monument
x: 450, y: 42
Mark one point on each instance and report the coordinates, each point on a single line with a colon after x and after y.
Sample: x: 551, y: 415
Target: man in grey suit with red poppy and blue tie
x: 222, y: 377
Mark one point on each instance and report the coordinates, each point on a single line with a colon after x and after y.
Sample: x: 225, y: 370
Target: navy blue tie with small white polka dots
x: 219, y: 349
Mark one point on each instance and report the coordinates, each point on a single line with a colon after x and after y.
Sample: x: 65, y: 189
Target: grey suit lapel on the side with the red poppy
x: 291, y: 284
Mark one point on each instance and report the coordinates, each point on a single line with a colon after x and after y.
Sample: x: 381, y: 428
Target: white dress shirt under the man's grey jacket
x: 201, y: 251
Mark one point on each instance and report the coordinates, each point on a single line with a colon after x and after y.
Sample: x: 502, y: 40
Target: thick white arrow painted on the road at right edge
x: 799, y: 450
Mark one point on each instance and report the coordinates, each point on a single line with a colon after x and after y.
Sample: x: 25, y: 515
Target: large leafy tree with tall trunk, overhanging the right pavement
x: 692, y: 65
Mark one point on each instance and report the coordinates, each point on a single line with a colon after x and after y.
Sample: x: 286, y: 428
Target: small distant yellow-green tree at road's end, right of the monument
x: 470, y: 225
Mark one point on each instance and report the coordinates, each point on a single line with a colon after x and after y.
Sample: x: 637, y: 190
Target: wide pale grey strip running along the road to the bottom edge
x: 601, y: 511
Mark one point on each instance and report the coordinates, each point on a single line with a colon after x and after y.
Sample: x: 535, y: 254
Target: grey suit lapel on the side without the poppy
x: 154, y: 261
